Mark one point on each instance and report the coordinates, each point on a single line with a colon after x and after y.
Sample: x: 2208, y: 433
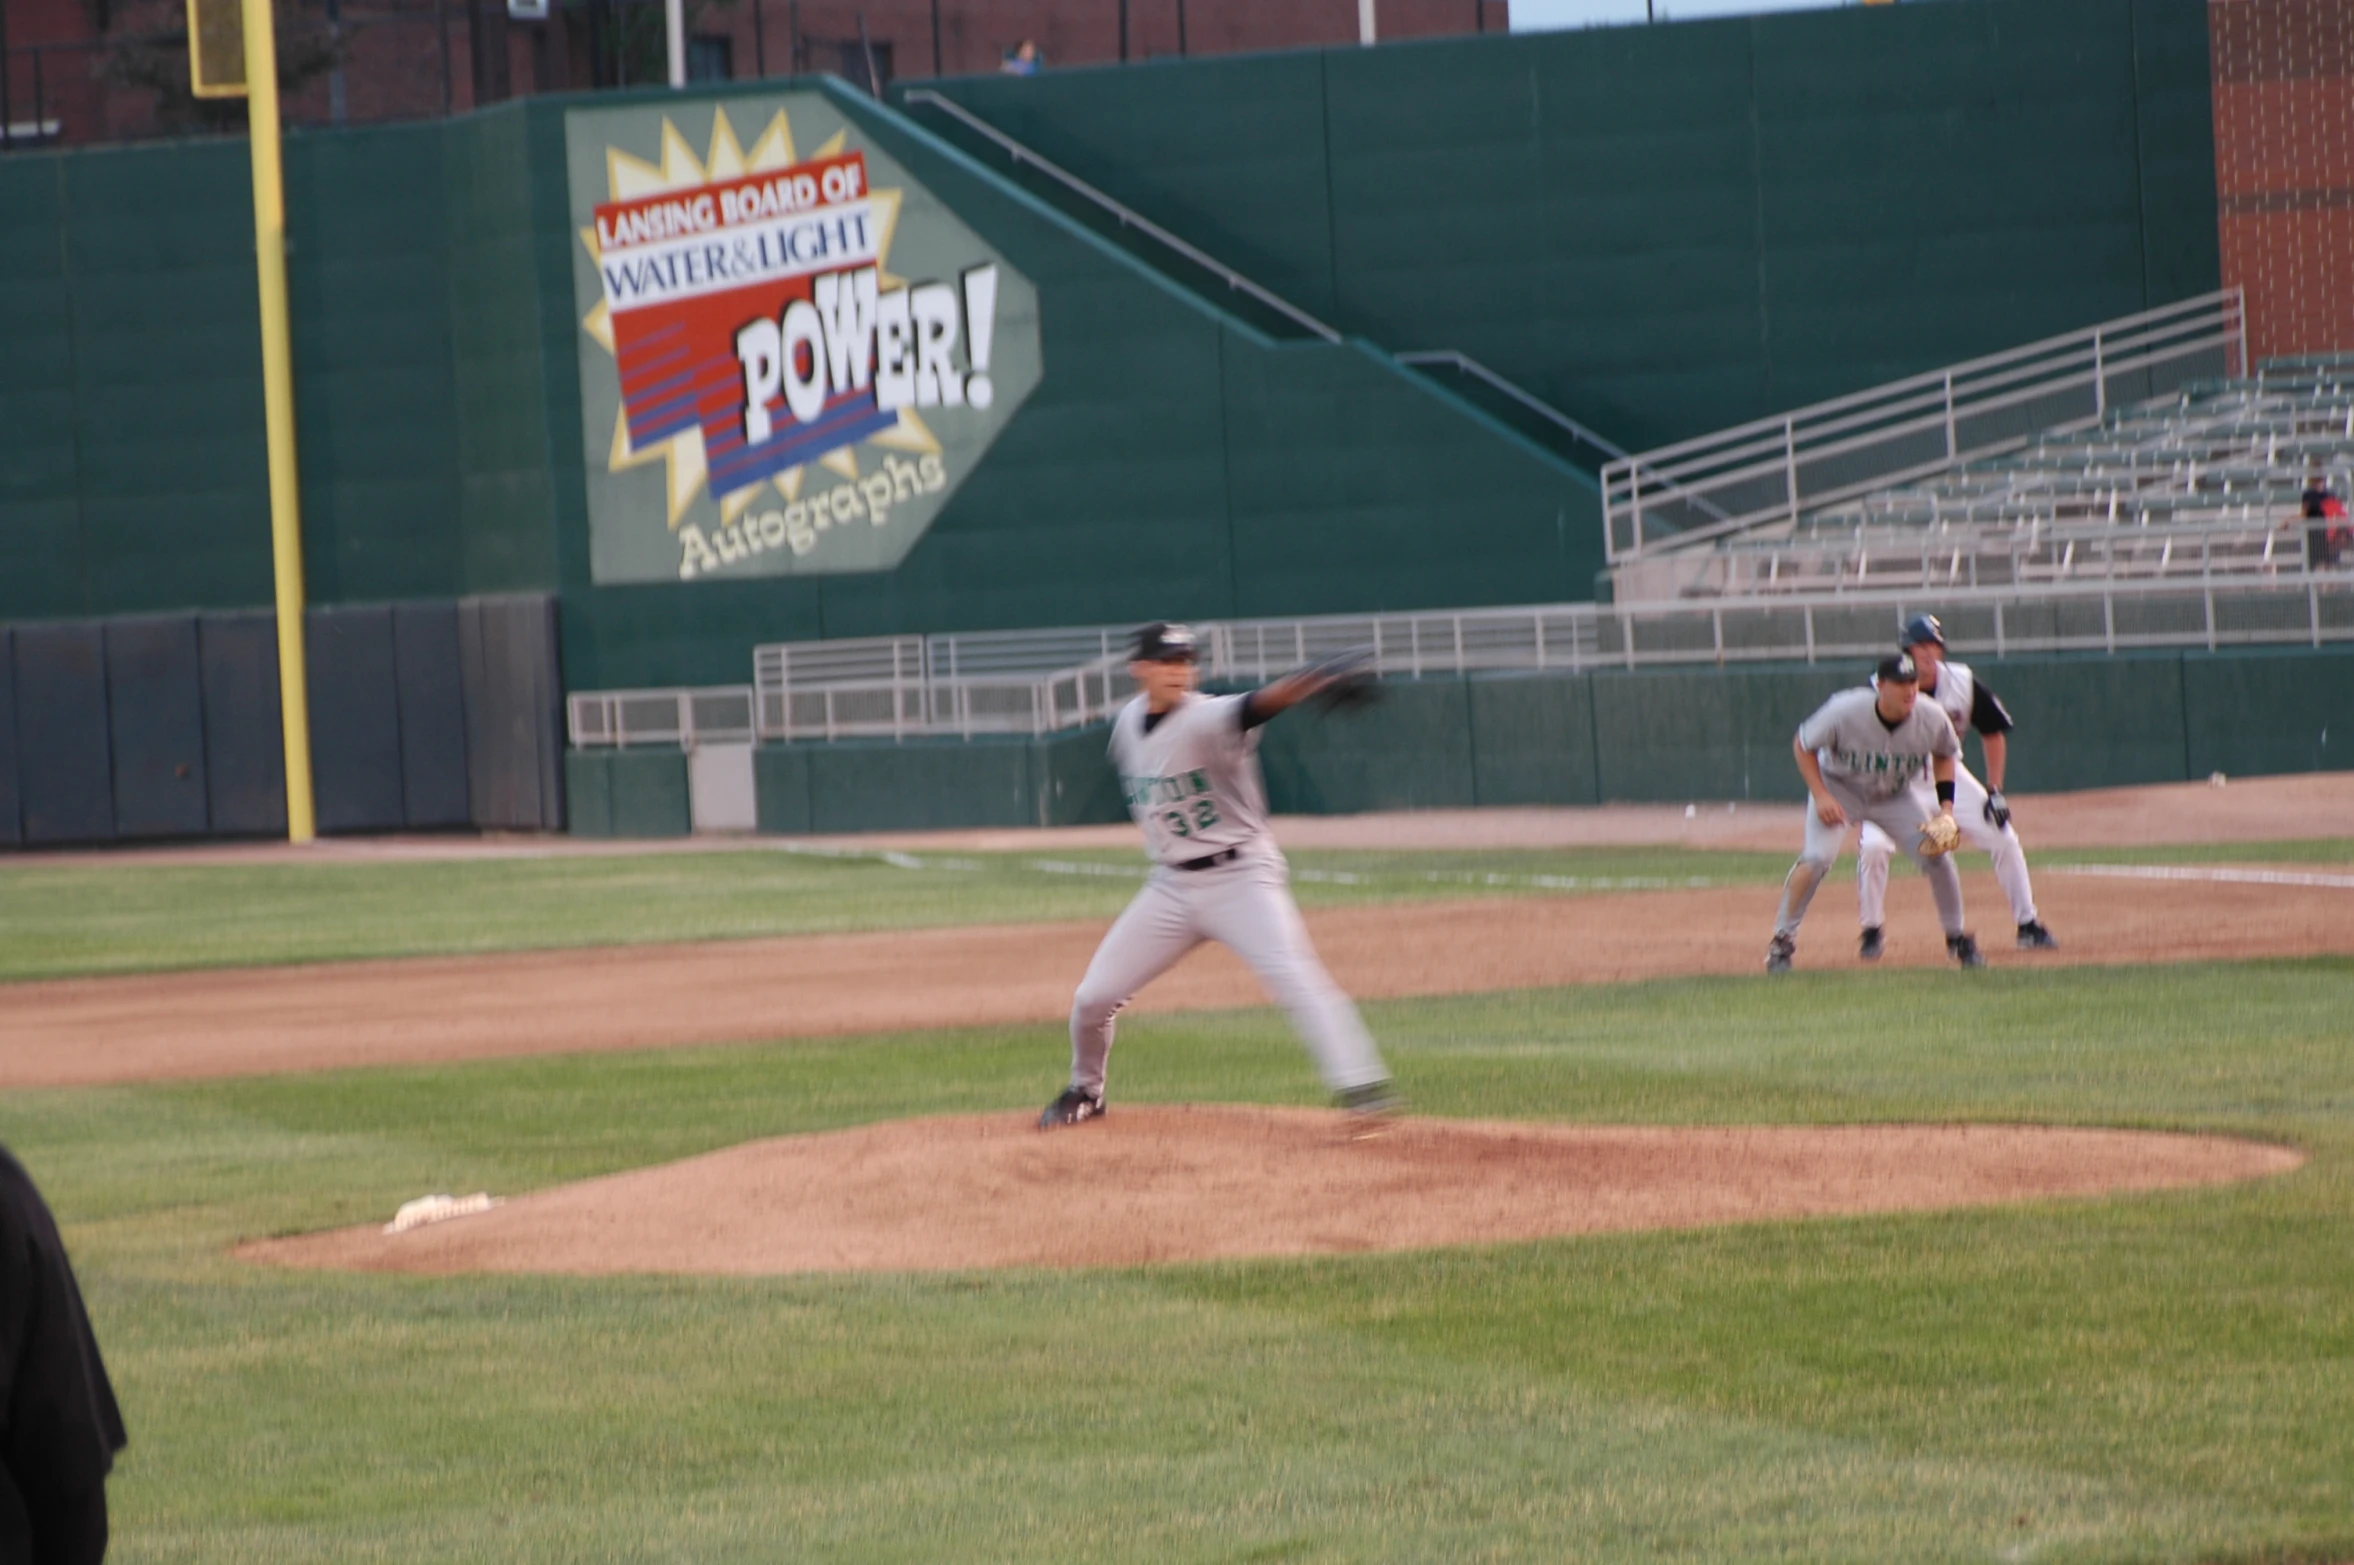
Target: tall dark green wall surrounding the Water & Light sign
x: 1661, y: 229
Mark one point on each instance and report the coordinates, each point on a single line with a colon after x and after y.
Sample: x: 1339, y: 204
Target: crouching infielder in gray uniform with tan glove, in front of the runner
x: 1884, y: 757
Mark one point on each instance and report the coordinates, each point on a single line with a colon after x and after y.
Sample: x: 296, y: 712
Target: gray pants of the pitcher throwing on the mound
x: 1249, y: 910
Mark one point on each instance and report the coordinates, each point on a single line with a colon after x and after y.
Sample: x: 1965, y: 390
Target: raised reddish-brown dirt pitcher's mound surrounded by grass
x: 1197, y: 1183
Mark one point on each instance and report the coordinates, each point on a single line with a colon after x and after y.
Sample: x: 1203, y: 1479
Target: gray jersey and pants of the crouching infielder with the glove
x: 1880, y: 775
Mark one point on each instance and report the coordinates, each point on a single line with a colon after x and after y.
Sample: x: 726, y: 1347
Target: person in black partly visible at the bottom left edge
x: 60, y: 1427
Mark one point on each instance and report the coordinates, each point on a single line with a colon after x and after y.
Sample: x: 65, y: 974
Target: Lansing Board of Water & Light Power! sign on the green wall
x: 792, y: 354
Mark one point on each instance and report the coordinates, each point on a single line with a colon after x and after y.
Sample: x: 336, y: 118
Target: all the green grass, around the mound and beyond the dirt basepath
x: 2160, y: 1378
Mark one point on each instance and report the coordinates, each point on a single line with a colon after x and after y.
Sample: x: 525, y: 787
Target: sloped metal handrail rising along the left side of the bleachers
x: 1901, y: 415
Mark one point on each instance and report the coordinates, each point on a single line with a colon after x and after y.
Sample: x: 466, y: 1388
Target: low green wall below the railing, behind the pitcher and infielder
x: 1689, y: 735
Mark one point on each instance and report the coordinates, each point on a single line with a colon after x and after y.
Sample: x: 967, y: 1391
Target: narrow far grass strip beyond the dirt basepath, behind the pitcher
x: 95, y: 919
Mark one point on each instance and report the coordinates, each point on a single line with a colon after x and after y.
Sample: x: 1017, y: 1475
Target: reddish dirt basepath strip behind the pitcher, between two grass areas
x: 239, y: 1023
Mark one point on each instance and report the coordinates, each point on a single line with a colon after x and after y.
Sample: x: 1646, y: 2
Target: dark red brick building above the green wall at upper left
x: 84, y: 72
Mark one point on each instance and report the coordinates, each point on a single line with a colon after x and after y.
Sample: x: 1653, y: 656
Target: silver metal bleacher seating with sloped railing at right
x: 2197, y: 484
